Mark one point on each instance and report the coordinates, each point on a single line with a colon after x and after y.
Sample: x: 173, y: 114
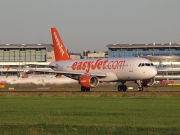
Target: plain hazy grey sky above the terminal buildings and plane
x: 90, y: 24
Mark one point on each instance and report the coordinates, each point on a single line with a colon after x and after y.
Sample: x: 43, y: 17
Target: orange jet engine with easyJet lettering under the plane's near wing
x: 89, y: 81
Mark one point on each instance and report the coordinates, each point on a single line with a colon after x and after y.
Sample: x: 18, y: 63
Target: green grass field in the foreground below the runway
x: 87, y: 113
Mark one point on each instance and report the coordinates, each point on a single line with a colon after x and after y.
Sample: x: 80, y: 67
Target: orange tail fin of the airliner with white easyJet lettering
x: 59, y: 49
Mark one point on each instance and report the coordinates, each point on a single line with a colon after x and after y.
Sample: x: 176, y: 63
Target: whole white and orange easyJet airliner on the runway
x: 91, y: 72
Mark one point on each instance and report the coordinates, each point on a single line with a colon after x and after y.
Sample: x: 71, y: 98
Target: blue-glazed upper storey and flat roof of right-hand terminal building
x: 135, y: 50
